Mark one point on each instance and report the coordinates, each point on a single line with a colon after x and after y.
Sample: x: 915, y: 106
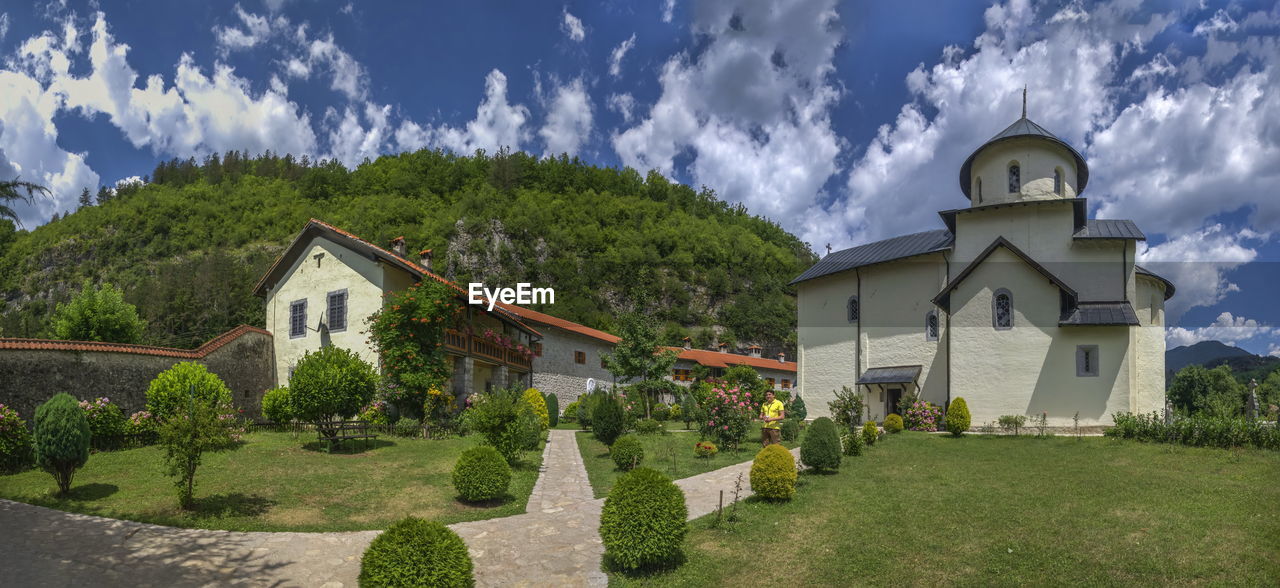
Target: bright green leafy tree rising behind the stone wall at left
x: 99, y: 314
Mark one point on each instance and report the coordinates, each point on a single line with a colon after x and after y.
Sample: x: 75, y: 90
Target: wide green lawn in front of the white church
x: 986, y: 510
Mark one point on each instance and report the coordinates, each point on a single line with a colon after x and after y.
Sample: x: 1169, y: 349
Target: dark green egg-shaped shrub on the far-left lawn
x: 62, y: 439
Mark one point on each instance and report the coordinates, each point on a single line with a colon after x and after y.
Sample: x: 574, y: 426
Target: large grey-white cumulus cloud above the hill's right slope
x: 752, y: 108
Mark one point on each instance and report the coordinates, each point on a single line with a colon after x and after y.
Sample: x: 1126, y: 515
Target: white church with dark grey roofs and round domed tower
x: 1022, y: 306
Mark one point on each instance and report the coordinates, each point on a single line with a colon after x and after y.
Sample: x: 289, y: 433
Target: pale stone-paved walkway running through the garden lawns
x: 556, y: 544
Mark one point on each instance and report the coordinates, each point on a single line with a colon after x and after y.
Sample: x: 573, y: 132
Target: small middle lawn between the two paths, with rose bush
x: 673, y: 454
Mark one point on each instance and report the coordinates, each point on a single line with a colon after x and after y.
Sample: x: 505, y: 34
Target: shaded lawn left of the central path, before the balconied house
x: 281, y: 482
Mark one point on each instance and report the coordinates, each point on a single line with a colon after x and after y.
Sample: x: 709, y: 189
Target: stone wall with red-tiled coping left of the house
x: 33, y: 371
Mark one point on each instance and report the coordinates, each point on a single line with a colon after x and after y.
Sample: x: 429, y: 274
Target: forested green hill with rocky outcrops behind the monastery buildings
x: 189, y: 247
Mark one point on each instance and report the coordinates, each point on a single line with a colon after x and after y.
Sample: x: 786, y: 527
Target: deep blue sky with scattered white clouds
x: 845, y: 122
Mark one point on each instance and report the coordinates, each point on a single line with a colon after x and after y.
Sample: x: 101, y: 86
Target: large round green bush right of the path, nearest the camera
x: 643, y: 522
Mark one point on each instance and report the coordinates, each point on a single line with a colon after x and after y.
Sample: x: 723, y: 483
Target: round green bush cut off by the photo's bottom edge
x: 415, y: 553
